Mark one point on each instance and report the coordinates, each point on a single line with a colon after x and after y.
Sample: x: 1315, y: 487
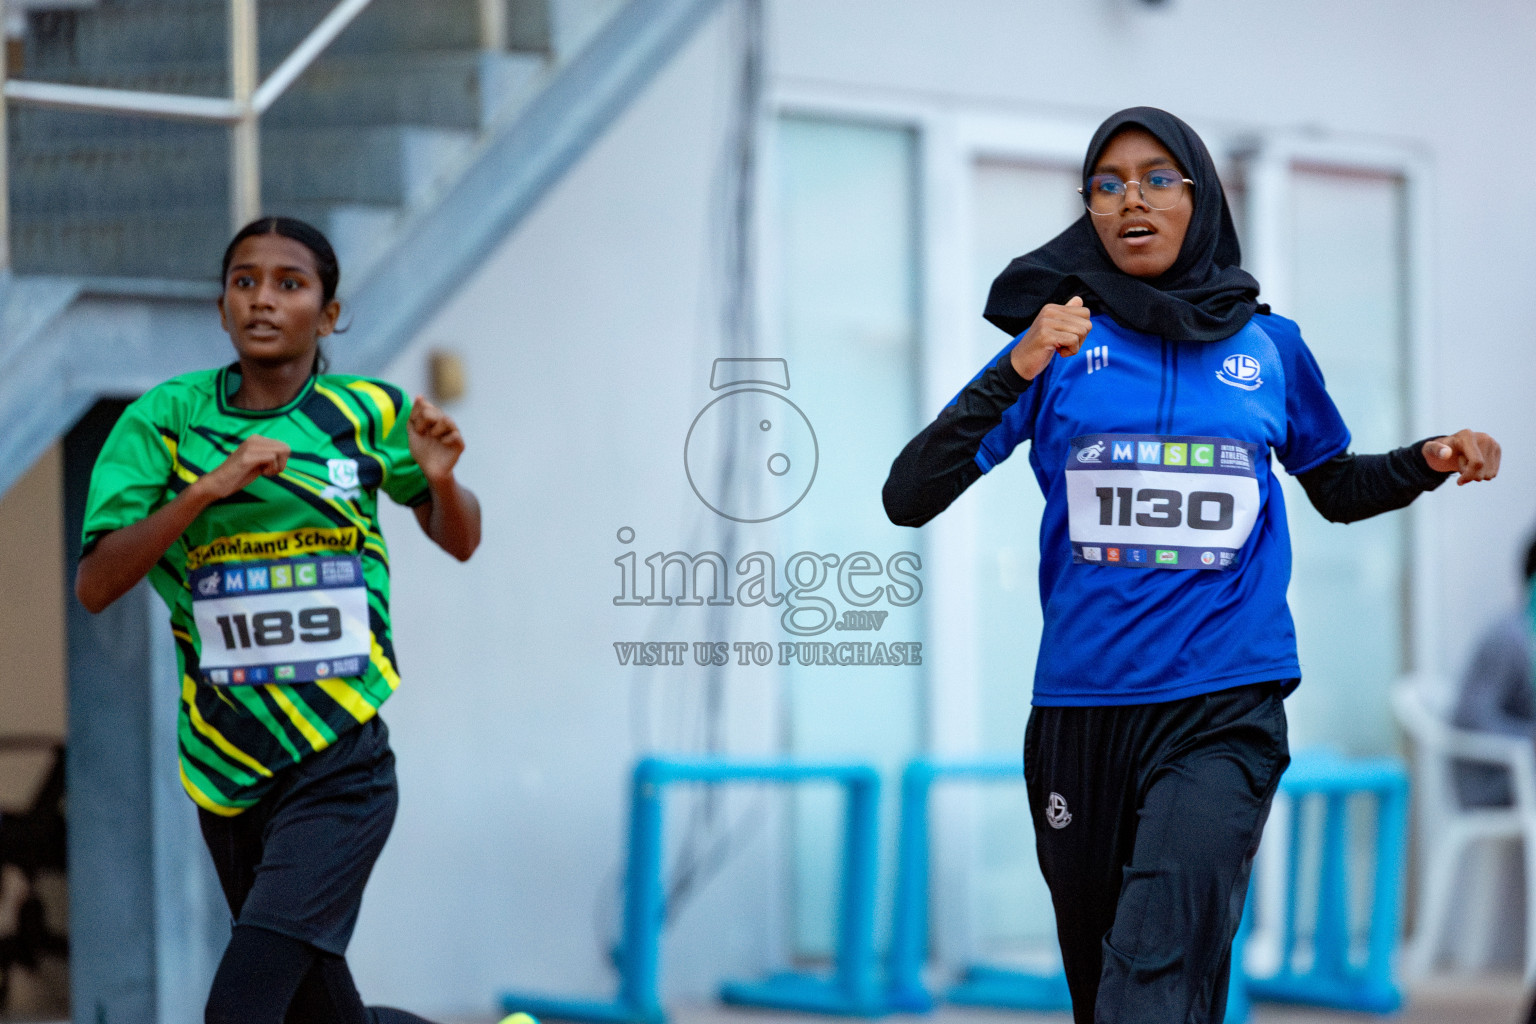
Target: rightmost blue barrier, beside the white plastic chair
x: 1331, y: 979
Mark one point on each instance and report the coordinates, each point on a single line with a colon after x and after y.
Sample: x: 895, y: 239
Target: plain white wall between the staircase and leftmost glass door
x: 588, y: 340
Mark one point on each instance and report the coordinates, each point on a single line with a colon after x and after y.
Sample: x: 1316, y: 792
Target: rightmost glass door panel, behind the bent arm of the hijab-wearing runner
x: 1349, y: 590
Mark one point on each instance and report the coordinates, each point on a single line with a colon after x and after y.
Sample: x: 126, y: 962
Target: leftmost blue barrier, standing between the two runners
x: 853, y: 989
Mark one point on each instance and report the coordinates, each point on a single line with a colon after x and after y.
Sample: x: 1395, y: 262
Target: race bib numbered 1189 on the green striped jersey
x: 282, y: 623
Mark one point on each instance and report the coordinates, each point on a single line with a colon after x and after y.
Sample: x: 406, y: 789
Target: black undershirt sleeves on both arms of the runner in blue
x: 938, y: 464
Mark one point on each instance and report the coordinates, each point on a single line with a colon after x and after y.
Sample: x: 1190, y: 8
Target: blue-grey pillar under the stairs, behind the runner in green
x: 145, y: 916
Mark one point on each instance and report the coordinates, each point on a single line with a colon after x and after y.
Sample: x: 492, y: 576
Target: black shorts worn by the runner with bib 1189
x: 297, y: 862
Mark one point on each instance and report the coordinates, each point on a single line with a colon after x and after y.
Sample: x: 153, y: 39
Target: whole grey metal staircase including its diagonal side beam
x: 417, y: 140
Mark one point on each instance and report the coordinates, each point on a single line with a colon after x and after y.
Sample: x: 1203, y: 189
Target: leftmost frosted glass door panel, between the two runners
x: 849, y: 309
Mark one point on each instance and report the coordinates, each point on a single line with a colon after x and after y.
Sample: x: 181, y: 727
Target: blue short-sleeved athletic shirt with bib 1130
x: 1154, y: 457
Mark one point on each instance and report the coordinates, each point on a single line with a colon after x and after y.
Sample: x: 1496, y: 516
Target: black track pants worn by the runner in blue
x: 1147, y: 824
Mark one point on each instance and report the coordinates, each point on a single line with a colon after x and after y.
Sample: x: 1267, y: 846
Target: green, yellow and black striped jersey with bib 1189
x: 279, y: 593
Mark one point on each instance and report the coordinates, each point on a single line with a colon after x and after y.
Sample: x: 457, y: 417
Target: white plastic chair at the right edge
x: 1446, y: 830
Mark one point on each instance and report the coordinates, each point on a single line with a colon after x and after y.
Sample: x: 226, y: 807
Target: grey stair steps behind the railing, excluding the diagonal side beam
x: 366, y: 133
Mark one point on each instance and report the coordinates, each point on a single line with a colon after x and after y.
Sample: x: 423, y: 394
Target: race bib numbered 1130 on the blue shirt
x: 1170, y: 503
